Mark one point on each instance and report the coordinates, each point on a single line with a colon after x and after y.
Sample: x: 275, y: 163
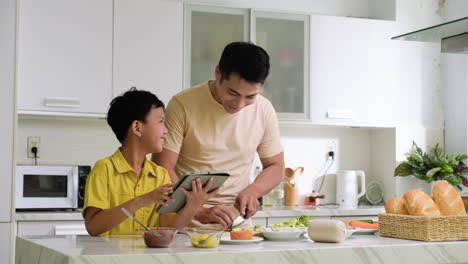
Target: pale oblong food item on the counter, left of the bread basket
x: 324, y: 230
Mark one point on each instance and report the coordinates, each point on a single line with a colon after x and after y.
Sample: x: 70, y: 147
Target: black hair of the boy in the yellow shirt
x: 128, y: 107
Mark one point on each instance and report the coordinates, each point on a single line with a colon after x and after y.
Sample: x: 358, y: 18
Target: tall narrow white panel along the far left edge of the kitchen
x: 7, y: 125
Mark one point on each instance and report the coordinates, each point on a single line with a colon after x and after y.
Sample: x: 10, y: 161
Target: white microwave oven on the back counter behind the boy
x: 50, y: 187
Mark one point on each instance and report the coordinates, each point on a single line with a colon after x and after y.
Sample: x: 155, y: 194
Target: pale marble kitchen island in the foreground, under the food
x: 131, y: 249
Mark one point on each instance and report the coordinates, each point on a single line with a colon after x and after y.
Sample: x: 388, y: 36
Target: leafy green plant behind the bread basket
x: 434, y: 166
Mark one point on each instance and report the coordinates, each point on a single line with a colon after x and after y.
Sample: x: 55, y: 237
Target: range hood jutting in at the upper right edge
x: 453, y: 35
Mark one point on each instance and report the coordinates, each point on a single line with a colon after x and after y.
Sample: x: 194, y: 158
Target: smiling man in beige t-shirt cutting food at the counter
x: 218, y: 126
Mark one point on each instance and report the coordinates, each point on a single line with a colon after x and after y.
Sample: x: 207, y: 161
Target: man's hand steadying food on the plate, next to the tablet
x: 218, y: 214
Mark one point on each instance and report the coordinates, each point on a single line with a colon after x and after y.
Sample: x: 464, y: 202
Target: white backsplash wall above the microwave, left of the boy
x: 66, y: 142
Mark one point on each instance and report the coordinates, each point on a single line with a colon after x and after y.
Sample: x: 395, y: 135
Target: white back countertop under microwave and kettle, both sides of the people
x: 282, y: 211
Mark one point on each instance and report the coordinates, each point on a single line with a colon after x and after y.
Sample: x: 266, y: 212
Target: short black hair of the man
x: 251, y: 62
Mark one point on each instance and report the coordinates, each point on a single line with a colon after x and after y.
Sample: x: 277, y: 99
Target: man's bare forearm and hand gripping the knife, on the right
x: 271, y: 175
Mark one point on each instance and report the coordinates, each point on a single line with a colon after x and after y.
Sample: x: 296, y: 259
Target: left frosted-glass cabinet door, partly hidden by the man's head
x: 207, y: 31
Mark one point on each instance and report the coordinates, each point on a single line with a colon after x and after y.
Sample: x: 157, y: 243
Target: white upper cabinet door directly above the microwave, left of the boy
x: 64, y: 56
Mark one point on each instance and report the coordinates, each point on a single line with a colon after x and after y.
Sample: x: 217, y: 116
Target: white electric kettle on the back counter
x: 347, y: 187
